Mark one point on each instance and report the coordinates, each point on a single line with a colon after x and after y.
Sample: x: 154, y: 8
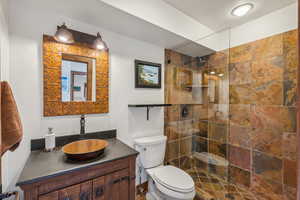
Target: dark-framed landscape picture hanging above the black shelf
x: 147, y: 74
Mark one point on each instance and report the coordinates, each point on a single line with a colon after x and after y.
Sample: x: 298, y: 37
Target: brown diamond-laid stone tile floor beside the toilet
x: 211, y: 187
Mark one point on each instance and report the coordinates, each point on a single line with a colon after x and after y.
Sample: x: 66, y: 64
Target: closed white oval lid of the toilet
x: 174, y: 179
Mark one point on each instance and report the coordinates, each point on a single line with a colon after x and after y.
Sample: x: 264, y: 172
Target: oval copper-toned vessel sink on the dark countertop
x: 85, y: 149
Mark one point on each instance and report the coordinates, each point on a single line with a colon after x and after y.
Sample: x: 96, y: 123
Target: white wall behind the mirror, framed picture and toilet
x: 27, y: 26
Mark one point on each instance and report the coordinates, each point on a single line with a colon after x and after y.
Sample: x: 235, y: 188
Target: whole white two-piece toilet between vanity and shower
x: 164, y: 182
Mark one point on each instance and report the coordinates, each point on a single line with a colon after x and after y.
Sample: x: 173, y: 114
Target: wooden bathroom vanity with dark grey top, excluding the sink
x: 50, y: 176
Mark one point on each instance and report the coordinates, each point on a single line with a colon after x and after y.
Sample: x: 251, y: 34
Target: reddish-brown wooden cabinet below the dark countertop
x: 110, y: 181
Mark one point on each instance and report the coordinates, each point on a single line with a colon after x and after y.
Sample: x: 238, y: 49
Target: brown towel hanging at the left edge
x: 11, y: 126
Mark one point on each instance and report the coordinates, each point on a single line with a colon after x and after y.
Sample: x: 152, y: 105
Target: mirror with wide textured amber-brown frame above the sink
x: 75, y: 77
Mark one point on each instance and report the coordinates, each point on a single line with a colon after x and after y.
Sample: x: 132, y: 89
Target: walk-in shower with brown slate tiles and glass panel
x: 232, y: 125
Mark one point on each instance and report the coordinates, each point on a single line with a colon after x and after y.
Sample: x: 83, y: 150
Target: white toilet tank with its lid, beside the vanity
x: 152, y: 150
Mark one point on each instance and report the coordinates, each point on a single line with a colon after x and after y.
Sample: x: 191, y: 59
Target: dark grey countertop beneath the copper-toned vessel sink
x: 41, y: 165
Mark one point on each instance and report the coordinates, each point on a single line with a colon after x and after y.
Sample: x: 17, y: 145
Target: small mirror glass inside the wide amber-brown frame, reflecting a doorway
x: 78, y: 79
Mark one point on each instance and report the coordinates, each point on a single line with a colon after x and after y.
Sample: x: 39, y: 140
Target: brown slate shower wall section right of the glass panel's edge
x: 262, y: 139
